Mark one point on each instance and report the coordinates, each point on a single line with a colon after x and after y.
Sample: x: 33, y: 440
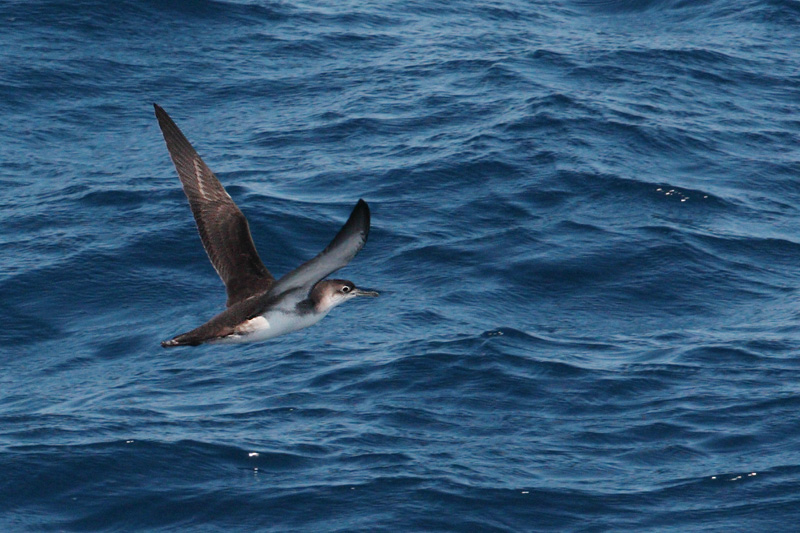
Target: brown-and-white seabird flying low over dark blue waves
x: 258, y: 306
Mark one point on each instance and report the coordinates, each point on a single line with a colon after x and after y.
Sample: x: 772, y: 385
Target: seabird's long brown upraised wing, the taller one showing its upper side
x: 222, y: 226
